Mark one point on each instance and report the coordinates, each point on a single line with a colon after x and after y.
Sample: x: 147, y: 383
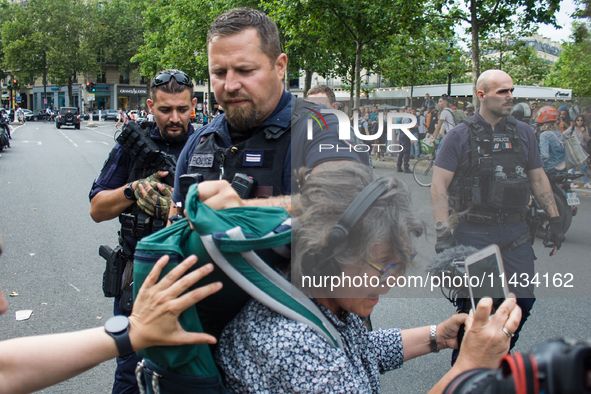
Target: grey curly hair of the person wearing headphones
x: 323, y: 199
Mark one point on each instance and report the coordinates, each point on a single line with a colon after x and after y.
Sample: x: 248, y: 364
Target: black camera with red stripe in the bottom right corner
x: 553, y: 367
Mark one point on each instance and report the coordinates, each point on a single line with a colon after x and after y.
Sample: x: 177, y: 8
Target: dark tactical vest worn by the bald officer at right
x: 495, y: 181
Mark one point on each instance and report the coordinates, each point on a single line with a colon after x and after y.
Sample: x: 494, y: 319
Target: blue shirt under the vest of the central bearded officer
x: 301, y: 152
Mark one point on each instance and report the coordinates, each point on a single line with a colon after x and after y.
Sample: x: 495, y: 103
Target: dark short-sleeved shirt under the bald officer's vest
x: 454, y: 153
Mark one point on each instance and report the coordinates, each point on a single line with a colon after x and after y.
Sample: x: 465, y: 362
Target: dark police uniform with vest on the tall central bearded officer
x: 267, y: 154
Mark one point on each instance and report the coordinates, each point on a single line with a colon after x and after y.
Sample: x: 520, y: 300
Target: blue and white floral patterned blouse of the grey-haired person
x: 261, y: 351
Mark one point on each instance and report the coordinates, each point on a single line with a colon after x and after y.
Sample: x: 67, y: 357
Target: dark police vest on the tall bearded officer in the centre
x: 261, y: 157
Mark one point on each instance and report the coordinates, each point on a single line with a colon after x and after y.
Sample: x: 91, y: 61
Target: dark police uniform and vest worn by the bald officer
x: 490, y: 181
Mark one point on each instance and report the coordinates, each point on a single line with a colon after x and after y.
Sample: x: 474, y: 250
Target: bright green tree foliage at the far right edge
x: 572, y: 70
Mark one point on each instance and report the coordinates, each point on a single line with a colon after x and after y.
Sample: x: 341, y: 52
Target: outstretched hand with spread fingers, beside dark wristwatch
x: 154, y: 320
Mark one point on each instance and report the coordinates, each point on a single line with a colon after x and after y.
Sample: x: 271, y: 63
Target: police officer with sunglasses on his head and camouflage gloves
x: 137, y: 193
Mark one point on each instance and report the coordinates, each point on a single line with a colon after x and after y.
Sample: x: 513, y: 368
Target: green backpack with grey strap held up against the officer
x: 229, y: 239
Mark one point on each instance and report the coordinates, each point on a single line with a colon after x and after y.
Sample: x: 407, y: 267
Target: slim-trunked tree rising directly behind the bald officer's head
x: 483, y: 16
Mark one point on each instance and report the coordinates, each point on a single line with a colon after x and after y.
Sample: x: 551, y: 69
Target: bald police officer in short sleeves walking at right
x: 487, y: 167
